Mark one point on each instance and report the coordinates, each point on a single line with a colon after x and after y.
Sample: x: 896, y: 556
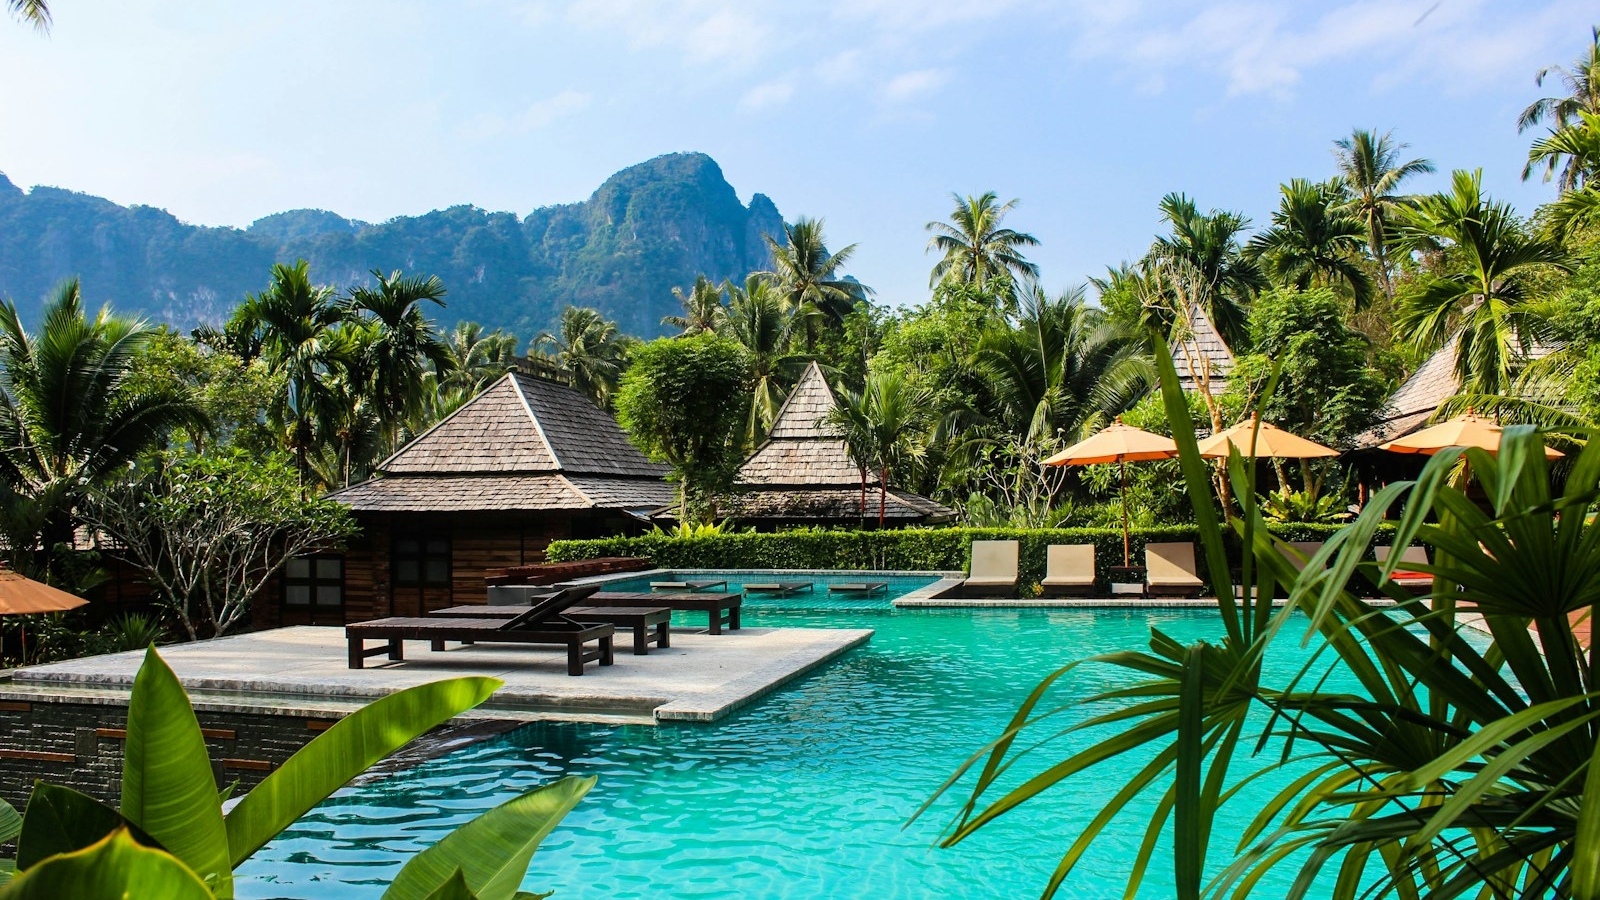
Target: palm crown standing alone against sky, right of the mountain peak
x: 975, y: 251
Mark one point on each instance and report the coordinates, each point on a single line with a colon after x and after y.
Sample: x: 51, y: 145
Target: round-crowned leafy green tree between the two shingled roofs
x: 682, y: 403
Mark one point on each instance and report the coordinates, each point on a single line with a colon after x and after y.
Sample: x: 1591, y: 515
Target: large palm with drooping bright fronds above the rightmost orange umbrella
x: 1482, y: 302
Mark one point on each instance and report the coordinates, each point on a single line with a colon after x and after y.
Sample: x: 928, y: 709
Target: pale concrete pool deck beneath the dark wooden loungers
x: 303, y: 670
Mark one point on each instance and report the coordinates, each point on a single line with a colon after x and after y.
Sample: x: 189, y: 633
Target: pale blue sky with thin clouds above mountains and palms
x: 868, y: 113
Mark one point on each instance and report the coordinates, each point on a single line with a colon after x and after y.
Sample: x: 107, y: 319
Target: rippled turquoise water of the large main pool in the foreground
x: 804, y: 795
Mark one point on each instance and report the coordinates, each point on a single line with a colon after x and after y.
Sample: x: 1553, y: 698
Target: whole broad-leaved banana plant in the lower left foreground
x: 170, y: 837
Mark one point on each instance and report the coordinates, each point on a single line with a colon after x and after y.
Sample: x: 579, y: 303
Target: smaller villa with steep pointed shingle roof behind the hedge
x: 804, y: 475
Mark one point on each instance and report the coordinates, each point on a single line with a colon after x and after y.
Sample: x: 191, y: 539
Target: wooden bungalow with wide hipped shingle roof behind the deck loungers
x: 524, y: 464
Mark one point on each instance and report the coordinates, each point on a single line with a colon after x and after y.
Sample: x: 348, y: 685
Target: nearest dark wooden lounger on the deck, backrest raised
x: 542, y: 624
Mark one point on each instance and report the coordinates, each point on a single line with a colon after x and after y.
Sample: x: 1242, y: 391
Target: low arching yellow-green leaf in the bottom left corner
x: 114, y: 869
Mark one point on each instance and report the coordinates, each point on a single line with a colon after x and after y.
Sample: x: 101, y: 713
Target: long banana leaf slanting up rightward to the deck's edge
x: 345, y: 752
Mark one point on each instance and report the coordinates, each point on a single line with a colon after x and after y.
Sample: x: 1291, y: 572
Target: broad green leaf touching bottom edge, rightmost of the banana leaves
x: 492, y: 851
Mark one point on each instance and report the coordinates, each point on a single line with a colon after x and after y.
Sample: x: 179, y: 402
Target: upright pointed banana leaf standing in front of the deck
x: 167, y: 785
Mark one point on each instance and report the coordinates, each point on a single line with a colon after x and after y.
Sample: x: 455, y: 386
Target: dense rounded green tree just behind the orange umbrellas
x: 1326, y: 392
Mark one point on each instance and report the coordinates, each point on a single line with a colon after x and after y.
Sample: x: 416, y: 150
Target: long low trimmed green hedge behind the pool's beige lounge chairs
x: 922, y: 550
